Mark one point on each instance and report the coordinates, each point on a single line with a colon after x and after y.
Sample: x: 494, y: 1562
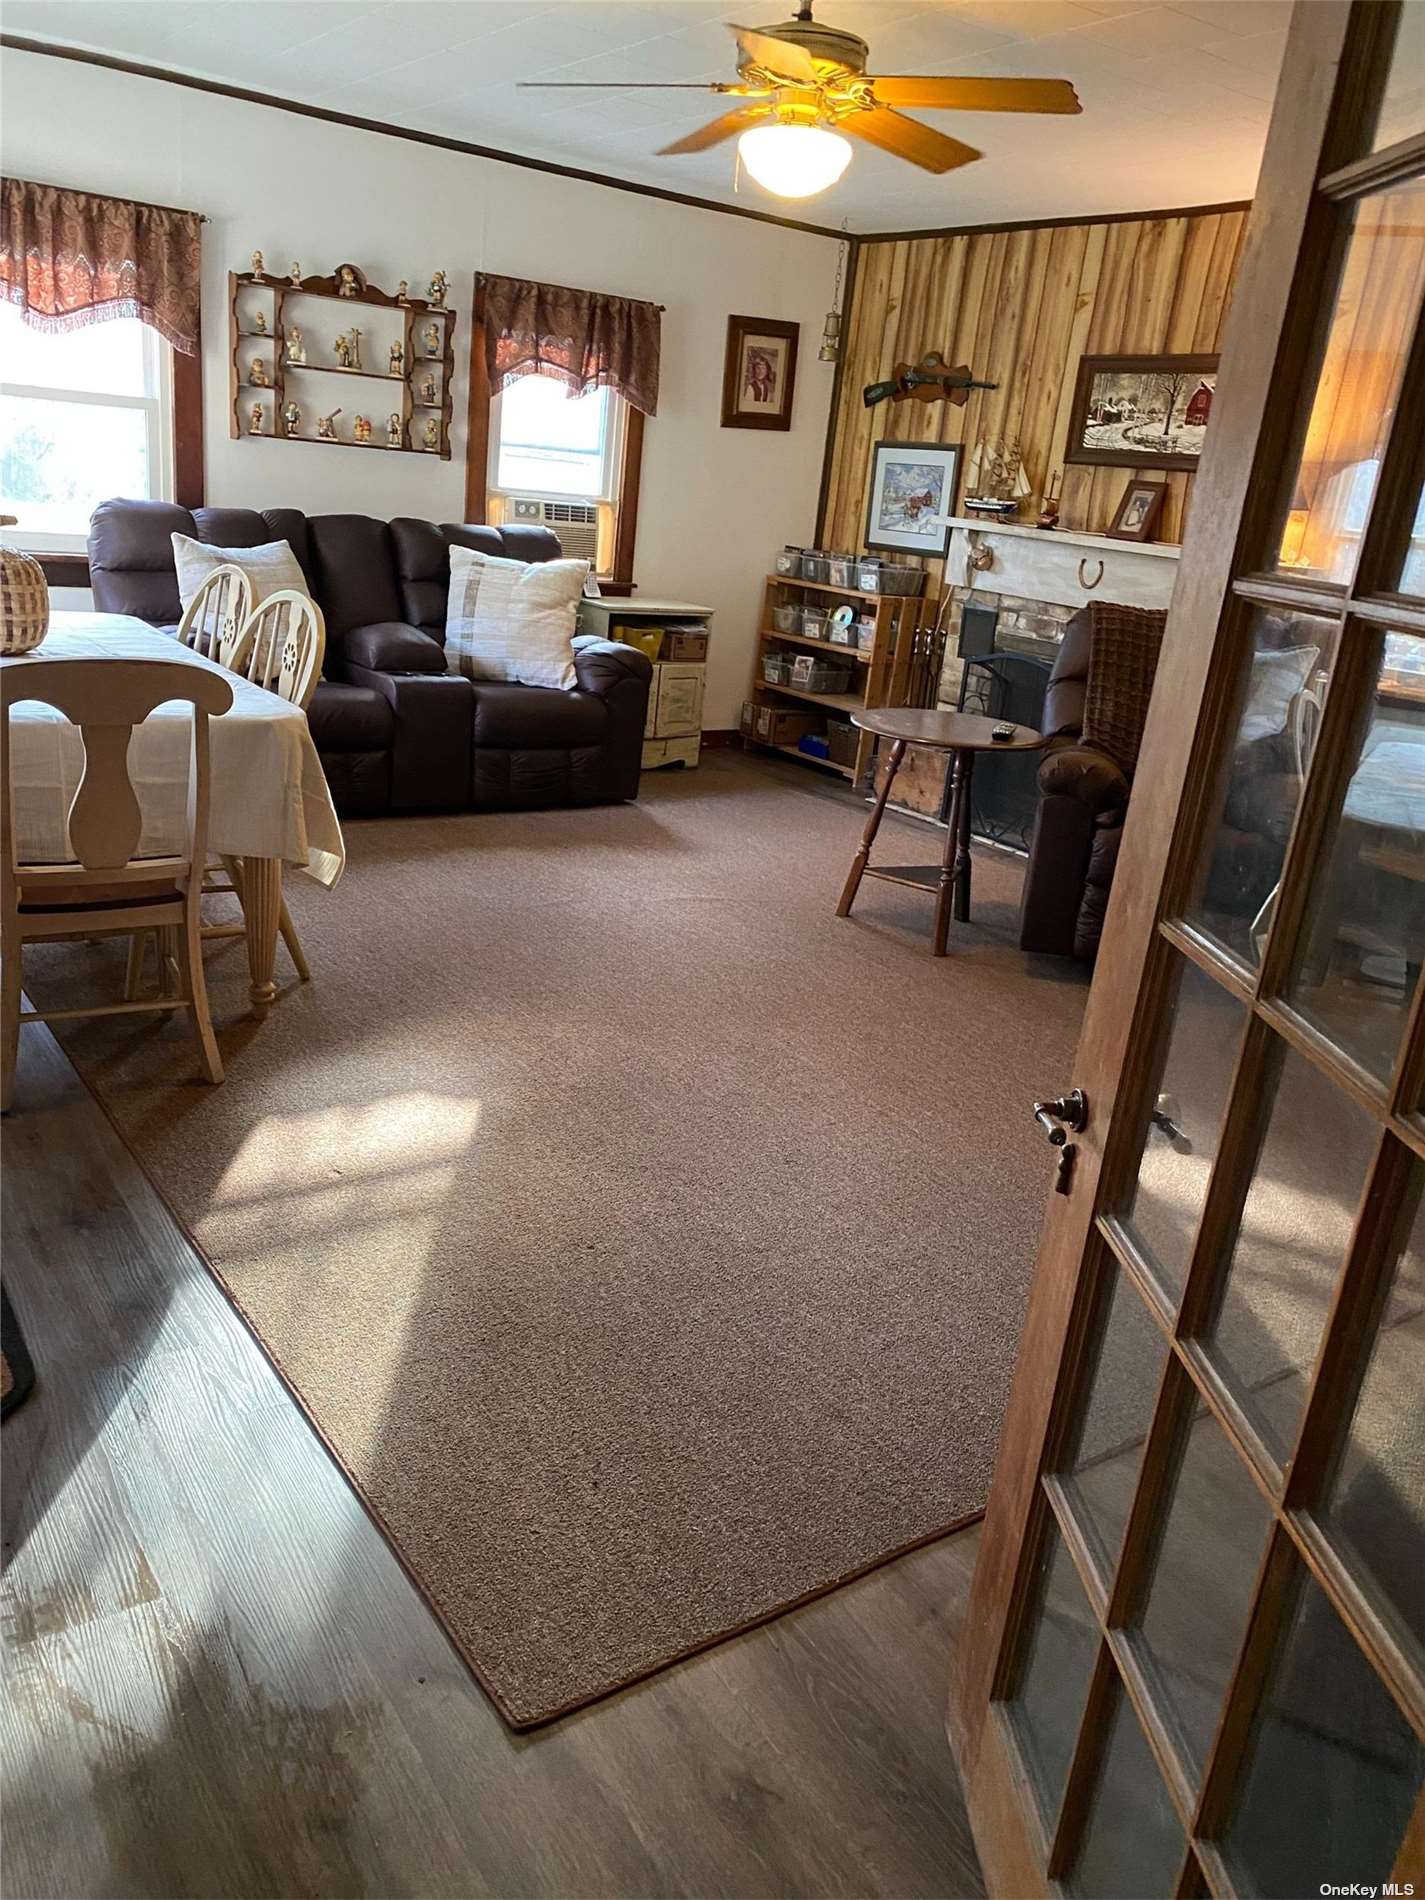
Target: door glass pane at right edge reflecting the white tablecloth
x: 1369, y: 909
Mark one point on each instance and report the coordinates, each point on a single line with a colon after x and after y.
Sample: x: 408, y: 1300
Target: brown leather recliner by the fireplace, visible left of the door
x: 1084, y: 797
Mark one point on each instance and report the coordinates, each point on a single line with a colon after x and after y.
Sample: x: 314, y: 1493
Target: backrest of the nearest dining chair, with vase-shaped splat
x: 107, y: 700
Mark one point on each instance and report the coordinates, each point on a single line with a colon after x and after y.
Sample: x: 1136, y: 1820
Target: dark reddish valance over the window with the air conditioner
x: 582, y: 337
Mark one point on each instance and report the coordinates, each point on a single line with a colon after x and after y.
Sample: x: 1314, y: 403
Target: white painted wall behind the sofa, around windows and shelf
x: 715, y: 503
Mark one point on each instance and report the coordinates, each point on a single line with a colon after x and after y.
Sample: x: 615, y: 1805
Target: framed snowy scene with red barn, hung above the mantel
x: 1143, y: 413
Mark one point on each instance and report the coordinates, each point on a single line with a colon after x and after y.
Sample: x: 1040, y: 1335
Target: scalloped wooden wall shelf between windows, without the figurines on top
x: 288, y: 303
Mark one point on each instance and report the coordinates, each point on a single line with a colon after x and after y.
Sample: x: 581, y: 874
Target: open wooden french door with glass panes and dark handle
x: 1196, y: 1650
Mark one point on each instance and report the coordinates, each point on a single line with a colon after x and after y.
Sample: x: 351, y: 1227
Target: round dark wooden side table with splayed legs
x: 962, y: 736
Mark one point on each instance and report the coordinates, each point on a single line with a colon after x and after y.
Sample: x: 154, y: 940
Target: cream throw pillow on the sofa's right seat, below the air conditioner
x: 512, y: 620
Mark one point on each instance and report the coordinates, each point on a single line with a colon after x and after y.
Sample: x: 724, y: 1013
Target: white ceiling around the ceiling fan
x: 1175, y: 98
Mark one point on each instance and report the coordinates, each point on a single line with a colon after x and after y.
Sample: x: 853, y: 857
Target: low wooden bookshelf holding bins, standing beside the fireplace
x: 883, y: 672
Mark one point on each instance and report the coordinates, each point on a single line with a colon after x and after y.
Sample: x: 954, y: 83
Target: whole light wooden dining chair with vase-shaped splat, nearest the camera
x: 105, y: 890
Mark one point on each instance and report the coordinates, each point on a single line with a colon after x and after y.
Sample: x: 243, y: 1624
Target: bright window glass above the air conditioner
x: 556, y: 446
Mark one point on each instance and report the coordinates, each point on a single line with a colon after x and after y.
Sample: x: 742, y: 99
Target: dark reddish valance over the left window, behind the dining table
x: 73, y: 257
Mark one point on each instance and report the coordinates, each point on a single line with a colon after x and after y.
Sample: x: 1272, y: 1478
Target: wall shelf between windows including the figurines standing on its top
x: 284, y: 333
